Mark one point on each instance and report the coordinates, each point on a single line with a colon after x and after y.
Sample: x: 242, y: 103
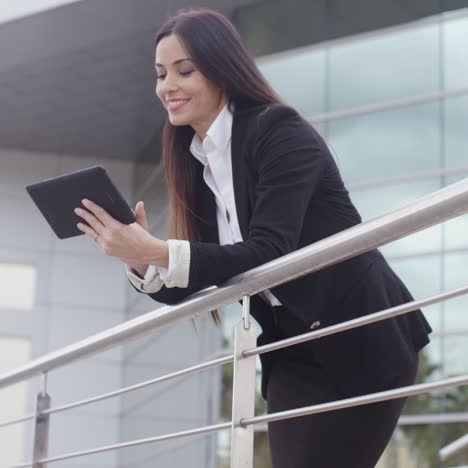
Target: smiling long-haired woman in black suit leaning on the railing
x: 249, y: 181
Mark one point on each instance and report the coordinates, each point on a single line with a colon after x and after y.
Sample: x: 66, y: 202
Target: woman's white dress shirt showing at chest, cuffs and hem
x: 214, y: 152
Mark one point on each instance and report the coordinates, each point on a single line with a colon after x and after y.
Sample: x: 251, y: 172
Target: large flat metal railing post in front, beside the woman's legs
x: 243, y: 392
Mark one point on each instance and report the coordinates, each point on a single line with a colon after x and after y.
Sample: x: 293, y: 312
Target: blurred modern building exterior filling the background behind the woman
x: 385, y: 83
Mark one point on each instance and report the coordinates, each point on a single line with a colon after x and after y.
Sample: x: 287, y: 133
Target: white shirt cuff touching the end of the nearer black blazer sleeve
x: 177, y: 272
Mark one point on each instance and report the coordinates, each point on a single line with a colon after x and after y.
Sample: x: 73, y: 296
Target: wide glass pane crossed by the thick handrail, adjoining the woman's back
x: 379, y: 200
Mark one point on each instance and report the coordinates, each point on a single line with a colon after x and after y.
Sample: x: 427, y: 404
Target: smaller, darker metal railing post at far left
x: 41, y: 426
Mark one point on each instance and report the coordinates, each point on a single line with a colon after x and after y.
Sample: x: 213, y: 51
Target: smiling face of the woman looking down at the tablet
x: 189, y: 97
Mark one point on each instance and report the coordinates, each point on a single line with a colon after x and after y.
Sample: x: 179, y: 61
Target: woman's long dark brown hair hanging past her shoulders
x: 220, y: 55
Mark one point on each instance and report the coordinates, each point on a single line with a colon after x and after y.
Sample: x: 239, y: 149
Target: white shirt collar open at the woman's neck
x: 217, y: 137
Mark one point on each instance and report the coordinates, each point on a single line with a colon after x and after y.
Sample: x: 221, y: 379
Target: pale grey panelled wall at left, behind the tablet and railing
x: 79, y: 292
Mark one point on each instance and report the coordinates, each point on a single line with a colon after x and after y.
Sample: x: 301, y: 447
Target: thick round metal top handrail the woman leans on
x: 432, y: 209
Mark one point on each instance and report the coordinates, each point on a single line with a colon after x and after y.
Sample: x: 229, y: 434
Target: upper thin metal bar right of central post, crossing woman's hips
x: 357, y: 322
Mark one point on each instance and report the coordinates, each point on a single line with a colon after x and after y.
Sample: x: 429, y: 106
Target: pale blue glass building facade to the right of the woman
x: 392, y: 105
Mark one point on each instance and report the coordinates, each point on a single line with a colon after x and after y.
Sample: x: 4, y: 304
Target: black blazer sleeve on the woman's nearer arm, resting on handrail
x: 290, y: 158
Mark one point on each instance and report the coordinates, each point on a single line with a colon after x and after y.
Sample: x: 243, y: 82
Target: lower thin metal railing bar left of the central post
x: 133, y: 443
